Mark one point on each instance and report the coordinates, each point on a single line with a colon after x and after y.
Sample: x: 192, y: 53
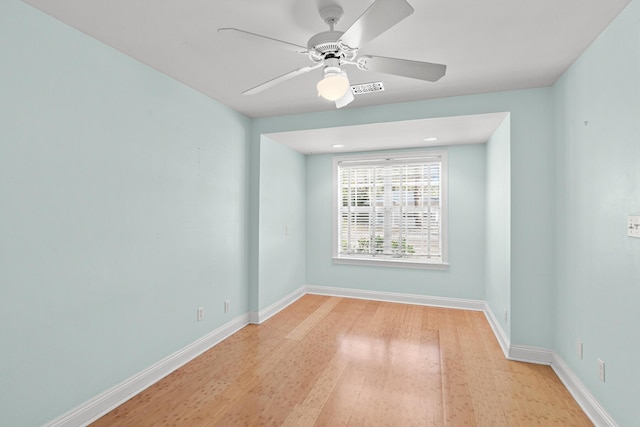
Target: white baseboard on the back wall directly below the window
x: 463, y: 304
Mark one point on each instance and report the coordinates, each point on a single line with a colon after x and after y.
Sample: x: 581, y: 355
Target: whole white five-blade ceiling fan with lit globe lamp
x: 331, y: 50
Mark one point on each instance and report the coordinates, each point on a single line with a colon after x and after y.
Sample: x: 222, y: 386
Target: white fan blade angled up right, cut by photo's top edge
x: 378, y: 18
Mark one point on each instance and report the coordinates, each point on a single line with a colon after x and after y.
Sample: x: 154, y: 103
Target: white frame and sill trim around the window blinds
x: 444, y: 205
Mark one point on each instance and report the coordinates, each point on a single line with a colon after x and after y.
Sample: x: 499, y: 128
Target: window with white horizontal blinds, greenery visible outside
x: 391, y: 209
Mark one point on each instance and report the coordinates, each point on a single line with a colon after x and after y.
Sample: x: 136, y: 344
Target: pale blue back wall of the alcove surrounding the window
x: 465, y: 277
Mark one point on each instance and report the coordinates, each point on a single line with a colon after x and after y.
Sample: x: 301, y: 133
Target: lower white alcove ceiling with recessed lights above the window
x: 472, y: 129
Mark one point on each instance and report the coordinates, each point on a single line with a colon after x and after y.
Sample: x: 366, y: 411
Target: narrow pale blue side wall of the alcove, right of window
x: 498, y: 224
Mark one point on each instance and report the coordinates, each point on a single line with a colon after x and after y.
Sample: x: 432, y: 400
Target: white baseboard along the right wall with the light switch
x: 587, y: 402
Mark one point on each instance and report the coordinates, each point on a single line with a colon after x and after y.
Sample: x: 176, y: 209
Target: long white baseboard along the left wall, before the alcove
x: 115, y: 396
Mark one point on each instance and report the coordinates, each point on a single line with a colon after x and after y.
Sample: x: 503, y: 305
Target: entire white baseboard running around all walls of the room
x: 110, y: 399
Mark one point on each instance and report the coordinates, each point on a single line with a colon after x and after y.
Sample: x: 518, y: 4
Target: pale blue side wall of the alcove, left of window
x: 282, y: 221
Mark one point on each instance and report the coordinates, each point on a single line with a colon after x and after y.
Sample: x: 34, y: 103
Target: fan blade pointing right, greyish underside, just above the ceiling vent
x: 403, y: 67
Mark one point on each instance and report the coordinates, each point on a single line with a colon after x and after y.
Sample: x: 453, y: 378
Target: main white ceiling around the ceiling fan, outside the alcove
x: 489, y: 45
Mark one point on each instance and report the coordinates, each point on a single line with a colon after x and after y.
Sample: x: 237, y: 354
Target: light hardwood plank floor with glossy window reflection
x: 329, y: 361
